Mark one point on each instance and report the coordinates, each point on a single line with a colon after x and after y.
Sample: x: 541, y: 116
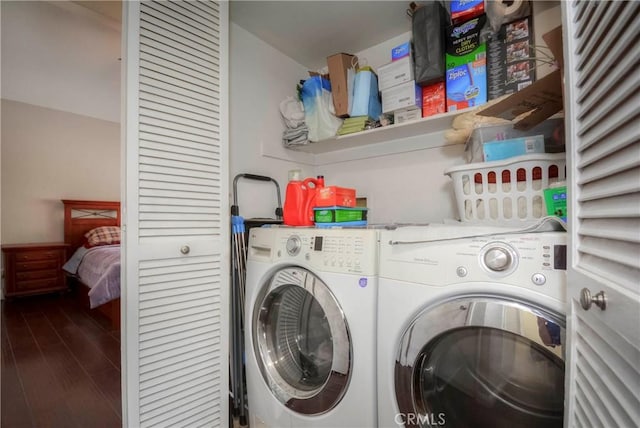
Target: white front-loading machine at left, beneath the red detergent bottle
x: 310, y: 327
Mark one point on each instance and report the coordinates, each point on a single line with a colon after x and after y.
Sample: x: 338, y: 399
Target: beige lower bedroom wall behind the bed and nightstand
x: 49, y: 155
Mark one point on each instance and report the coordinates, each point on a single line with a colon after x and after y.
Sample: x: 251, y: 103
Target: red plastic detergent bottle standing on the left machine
x: 299, y: 199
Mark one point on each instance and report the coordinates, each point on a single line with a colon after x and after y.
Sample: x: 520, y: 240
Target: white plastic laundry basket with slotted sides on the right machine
x: 507, y: 192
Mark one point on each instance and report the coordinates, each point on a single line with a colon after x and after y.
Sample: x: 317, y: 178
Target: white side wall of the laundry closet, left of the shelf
x: 261, y: 77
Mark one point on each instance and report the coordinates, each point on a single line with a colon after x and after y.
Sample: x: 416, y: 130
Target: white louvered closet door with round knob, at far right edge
x: 603, y: 127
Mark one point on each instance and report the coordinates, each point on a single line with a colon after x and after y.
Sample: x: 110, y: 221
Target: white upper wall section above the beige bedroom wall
x: 61, y: 55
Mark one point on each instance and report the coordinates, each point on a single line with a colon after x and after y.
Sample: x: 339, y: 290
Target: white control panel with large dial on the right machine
x: 534, y: 260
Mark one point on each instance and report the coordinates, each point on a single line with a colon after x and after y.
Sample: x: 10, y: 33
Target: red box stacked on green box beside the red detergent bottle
x: 336, y: 206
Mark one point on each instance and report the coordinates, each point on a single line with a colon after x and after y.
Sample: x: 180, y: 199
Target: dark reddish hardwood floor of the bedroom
x: 60, y: 365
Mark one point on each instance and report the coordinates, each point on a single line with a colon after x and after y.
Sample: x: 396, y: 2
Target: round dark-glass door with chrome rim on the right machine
x: 482, y: 361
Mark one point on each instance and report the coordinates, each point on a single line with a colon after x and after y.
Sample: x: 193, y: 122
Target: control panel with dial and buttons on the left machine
x: 332, y: 250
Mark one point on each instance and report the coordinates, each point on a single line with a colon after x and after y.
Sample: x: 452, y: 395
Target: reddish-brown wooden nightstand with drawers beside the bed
x: 34, y: 268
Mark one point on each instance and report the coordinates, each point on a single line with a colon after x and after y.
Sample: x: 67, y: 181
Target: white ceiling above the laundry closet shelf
x: 309, y: 31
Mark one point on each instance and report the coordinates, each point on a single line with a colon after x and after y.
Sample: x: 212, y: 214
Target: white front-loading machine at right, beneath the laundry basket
x: 471, y: 329
